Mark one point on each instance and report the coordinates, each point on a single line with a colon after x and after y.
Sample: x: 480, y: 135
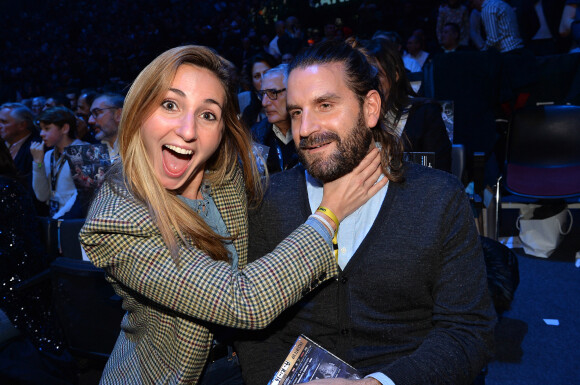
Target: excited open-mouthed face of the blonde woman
x: 186, y: 129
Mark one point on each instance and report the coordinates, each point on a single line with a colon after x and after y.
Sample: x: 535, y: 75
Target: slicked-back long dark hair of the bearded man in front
x: 361, y: 77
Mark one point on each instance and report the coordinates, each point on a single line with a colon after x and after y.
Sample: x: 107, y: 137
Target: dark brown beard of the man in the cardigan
x: 349, y: 152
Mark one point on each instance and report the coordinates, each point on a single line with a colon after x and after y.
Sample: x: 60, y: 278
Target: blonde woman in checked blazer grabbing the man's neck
x: 169, y: 225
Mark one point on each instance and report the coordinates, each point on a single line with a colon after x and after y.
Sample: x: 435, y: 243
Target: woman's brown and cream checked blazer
x: 166, y: 332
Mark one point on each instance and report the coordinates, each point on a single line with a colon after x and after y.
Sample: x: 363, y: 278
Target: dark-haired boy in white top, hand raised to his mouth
x: 51, y: 178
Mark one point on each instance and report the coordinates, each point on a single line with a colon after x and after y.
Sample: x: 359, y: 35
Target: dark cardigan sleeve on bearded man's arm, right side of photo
x: 461, y: 341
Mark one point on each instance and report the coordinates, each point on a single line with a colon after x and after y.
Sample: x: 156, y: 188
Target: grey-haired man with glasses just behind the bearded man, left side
x: 274, y: 132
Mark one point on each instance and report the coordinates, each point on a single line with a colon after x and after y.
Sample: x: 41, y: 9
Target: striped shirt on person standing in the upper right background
x: 501, y: 26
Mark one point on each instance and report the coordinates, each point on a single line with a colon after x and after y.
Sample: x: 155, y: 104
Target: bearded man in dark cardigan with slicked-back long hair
x: 411, y: 303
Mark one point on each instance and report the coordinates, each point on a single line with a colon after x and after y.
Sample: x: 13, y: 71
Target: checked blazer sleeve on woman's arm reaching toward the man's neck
x: 119, y: 237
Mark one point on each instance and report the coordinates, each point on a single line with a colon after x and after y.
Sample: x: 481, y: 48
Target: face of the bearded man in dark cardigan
x: 329, y: 127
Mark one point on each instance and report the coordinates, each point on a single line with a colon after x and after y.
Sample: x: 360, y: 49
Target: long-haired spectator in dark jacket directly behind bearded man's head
x: 417, y: 120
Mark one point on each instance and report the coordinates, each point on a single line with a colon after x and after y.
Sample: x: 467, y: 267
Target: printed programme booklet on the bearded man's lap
x: 308, y: 361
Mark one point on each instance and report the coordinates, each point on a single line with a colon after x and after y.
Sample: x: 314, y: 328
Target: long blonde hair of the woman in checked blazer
x: 176, y: 221
